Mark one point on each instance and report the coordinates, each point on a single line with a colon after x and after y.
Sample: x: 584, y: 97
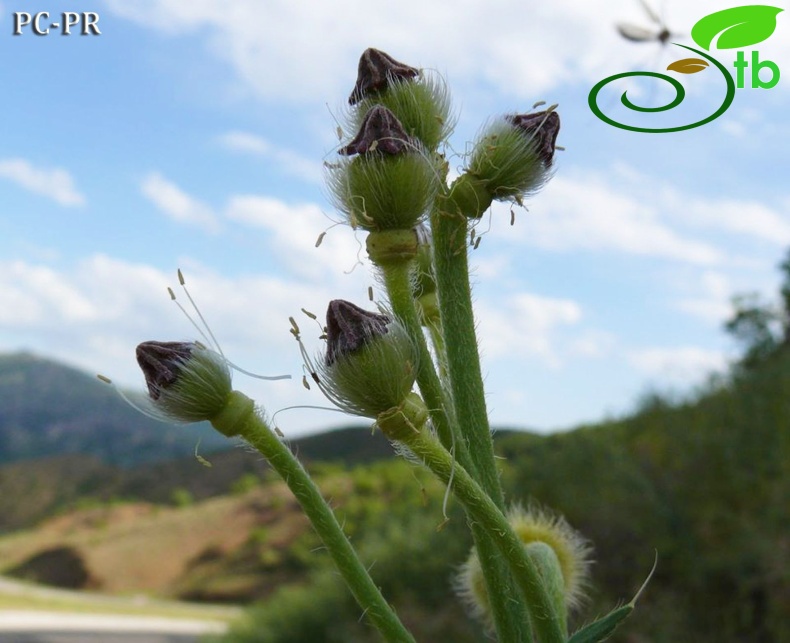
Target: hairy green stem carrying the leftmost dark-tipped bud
x: 249, y: 425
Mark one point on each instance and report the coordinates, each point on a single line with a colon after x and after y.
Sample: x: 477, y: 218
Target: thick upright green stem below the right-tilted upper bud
x: 460, y: 340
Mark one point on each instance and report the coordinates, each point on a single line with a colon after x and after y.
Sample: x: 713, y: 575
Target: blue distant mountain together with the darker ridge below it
x: 66, y: 439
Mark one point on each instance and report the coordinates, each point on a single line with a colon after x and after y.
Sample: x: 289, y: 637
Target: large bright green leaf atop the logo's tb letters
x: 736, y: 27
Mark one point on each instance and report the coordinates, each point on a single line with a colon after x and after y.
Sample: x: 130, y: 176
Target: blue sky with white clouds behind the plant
x: 192, y: 134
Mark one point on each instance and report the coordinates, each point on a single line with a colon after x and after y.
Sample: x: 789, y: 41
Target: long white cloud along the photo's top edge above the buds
x: 308, y: 51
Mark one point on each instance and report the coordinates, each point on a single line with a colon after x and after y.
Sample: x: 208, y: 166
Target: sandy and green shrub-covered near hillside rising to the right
x: 704, y: 482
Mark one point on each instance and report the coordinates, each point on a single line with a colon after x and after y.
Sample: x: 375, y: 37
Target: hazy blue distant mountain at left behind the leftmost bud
x: 48, y: 409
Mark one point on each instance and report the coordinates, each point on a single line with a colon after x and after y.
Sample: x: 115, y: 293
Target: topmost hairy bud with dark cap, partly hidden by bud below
x: 421, y: 103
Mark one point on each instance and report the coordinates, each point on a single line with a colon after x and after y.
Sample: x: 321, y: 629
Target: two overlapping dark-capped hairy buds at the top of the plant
x: 400, y: 119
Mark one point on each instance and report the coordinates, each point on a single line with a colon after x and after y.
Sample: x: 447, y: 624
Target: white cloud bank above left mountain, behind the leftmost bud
x: 94, y: 313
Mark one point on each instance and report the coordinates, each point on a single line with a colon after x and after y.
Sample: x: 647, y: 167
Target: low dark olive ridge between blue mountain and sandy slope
x: 32, y: 490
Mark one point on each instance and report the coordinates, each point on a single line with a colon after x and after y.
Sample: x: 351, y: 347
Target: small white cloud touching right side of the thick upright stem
x: 524, y: 325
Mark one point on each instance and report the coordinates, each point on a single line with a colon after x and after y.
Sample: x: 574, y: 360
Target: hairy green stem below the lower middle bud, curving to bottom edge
x: 544, y: 618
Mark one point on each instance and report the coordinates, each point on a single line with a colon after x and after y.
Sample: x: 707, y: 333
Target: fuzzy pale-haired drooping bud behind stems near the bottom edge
x: 560, y: 553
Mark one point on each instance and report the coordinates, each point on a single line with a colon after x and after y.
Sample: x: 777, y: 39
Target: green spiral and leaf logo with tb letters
x: 733, y: 28
